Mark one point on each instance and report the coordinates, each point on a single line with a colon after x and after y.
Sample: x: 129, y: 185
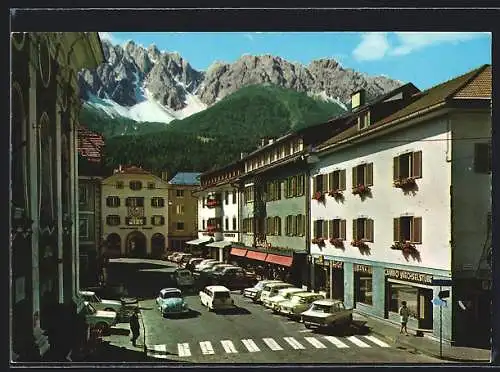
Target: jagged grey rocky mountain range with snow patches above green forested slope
x: 145, y: 84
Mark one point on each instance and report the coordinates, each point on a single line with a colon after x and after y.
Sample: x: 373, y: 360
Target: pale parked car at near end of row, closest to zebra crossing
x: 326, y: 313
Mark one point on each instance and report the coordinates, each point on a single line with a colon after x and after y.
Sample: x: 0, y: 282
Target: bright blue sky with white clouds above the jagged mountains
x: 423, y: 58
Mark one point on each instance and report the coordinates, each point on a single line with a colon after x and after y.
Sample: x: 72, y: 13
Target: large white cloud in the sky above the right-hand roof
x: 375, y: 45
